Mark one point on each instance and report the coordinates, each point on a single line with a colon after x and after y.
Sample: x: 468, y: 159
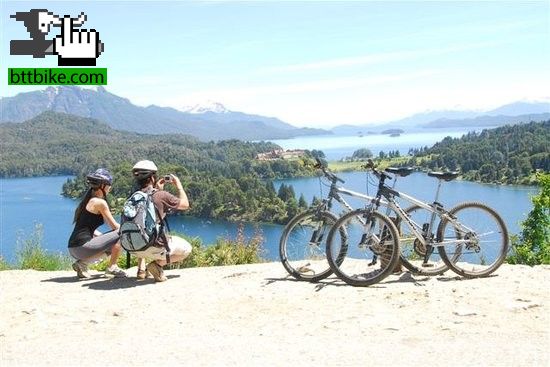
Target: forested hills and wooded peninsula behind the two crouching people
x: 223, y: 179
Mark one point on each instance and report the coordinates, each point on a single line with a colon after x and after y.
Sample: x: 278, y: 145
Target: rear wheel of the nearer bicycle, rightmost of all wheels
x: 474, y: 240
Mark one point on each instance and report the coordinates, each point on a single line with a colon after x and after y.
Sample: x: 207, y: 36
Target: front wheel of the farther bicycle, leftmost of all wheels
x: 302, y: 248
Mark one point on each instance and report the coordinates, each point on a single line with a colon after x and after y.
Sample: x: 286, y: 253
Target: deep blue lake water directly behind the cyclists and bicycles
x: 25, y: 202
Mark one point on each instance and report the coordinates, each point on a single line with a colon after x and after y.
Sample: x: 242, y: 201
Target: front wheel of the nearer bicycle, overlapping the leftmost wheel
x: 370, y: 251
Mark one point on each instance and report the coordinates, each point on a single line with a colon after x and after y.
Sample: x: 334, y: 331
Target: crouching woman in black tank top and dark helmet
x: 86, y: 244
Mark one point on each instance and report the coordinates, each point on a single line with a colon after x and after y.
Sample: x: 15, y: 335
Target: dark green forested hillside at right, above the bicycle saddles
x: 505, y: 155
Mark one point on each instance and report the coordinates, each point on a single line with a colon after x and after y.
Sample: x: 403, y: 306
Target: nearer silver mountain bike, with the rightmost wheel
x: 460, y: 235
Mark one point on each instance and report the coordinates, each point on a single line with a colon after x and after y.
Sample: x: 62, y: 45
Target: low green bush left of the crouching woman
x: 31, y: 255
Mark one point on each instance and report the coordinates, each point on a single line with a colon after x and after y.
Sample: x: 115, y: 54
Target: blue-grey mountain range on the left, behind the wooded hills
x: 121, y: 114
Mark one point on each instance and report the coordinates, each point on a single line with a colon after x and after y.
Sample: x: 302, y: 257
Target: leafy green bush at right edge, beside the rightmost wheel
x: 532, y: 247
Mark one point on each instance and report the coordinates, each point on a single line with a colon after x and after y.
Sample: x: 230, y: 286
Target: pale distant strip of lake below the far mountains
x: 336, y: 147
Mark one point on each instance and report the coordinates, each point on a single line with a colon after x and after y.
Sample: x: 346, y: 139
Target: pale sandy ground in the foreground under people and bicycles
x: 257, y: 314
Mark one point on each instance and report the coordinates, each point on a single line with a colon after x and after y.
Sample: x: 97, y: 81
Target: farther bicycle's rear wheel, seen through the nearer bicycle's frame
x: 413, y: 251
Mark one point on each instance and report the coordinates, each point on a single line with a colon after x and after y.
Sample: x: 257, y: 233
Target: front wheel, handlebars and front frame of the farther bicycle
x: 302, y: 248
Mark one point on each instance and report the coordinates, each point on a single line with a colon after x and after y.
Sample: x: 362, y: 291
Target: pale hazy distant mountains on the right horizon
x: 508, y: 114
